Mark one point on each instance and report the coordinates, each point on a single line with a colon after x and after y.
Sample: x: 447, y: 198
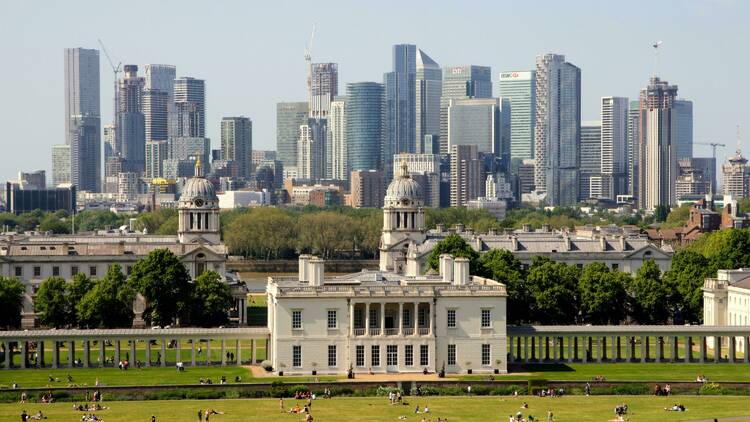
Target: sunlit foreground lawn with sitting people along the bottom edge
x: 572, y: 408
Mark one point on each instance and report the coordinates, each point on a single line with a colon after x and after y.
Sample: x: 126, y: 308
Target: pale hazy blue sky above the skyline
x: 251, y: 54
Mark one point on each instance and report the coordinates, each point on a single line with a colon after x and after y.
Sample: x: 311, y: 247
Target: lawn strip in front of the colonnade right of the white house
x: 685, y: 372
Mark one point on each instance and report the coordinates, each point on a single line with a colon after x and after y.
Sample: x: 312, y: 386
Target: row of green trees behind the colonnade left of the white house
x: 107, y: 302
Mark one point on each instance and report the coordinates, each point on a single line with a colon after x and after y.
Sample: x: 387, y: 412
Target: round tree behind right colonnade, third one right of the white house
x: 602, y: 295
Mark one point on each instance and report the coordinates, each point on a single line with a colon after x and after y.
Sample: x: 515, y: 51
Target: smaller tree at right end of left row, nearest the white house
x: 211, y: 300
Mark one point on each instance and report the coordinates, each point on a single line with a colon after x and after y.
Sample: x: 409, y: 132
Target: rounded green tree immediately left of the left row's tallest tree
x: 109, y: 304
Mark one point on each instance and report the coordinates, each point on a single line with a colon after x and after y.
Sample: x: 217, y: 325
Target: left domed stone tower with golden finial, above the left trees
x: 198, y: 210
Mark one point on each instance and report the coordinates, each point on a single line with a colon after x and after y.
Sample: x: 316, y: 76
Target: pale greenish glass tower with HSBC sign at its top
x: 520, y: 88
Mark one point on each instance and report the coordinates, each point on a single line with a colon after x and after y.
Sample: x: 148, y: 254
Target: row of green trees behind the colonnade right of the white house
x: 549, y: 292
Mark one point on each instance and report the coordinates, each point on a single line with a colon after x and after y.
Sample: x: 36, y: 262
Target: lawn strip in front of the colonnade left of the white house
x: 31, y: 378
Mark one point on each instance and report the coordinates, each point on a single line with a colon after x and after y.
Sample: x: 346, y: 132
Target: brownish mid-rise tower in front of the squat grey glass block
x: 467, y: 174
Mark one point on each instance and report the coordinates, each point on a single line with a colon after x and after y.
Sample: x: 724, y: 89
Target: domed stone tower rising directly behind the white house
x: 403, y: 221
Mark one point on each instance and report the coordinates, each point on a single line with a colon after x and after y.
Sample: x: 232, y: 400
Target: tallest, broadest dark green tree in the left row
x: 165, y: 284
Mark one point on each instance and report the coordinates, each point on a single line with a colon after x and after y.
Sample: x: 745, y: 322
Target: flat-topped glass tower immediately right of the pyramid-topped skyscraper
x: 461, y: 82
